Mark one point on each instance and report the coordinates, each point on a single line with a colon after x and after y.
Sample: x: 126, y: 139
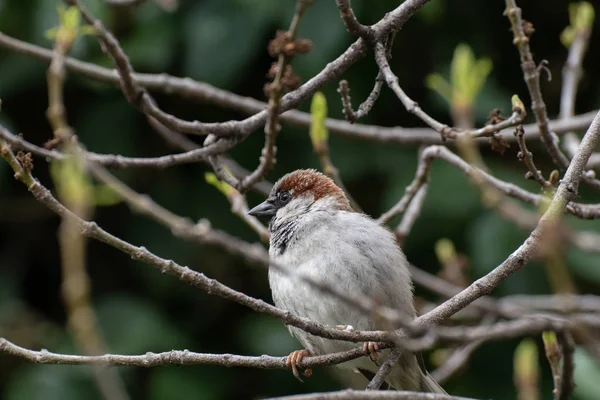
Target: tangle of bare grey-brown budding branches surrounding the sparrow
x: 512, y: 316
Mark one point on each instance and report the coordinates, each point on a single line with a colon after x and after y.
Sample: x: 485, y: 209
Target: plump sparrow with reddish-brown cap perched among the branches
x: 314, y: 230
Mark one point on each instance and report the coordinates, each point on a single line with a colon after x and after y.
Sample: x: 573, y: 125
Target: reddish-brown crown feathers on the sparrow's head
x: 310, y: 181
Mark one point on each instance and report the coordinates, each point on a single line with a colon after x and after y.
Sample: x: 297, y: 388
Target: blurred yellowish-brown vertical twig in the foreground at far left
x: 75, y: 288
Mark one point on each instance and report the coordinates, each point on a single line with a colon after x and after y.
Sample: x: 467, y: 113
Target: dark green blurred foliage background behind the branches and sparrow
x: 223, y: 42
